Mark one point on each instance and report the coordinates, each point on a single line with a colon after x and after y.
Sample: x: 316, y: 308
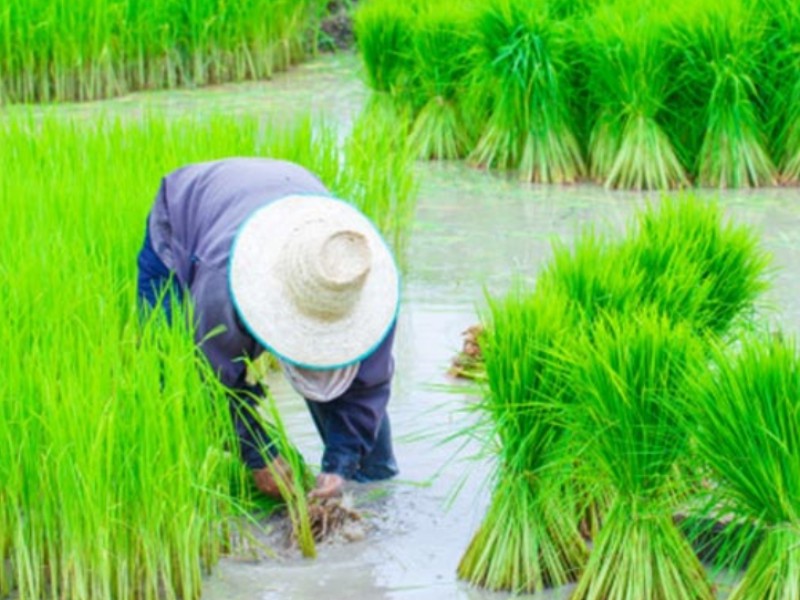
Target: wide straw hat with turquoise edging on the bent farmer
x: 313, y: 281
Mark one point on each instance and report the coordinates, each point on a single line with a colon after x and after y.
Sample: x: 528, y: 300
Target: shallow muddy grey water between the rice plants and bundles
x: 474, y: 231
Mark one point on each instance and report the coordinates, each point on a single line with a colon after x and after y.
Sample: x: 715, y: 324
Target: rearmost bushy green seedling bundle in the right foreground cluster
x: 694, y: 264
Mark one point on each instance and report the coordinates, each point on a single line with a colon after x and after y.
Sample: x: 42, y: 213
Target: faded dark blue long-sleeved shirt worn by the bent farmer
x: 196, y: 215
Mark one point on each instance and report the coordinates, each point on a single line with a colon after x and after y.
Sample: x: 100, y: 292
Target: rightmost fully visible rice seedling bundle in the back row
x: 722, y: 48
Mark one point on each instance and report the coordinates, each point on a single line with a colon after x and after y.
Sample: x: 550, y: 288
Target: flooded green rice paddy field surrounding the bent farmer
x: 639, y: 372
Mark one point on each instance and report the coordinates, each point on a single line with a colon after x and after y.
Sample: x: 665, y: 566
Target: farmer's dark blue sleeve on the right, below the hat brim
x: 349, y: 424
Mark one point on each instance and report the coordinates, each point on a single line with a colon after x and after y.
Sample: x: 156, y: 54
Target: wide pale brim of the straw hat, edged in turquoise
x: 260, y: 295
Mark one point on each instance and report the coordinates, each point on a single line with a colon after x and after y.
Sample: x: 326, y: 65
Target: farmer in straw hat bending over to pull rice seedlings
x: 271, y: 261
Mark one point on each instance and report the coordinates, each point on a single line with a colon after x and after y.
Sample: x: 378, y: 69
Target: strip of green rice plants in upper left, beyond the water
x: 88, y: 49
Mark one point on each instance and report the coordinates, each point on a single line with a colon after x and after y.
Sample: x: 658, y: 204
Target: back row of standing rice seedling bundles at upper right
x: 654, y: 95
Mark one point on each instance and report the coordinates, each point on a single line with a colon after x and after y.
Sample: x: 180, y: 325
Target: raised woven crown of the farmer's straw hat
x: 325, y: 270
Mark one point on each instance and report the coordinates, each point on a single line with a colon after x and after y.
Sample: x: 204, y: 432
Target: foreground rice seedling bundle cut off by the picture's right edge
x: 745, y: 413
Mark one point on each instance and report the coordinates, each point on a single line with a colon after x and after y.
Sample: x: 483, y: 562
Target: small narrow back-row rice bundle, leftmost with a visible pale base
x: 441, y: 49
